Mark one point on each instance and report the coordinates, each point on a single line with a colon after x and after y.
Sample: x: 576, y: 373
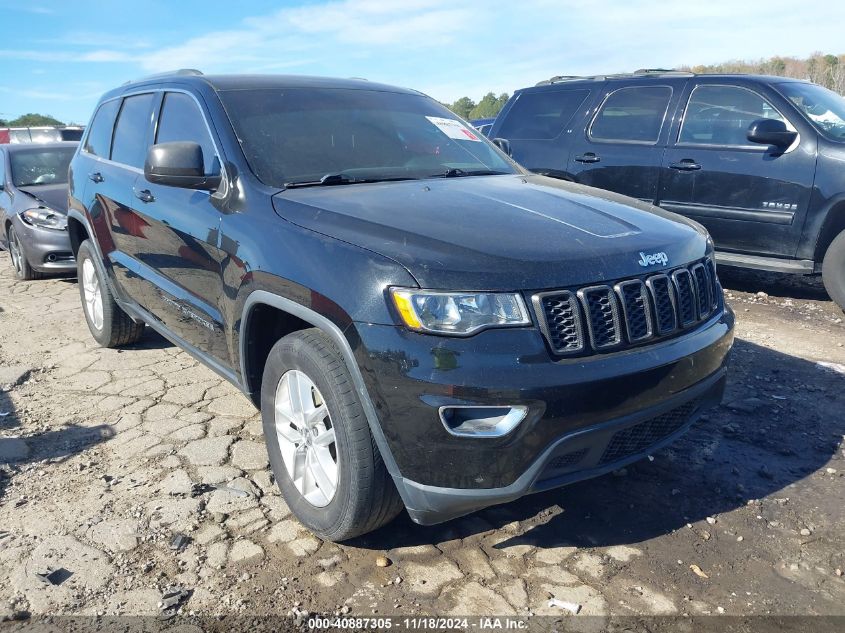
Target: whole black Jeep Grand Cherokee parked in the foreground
x: 422, y: 322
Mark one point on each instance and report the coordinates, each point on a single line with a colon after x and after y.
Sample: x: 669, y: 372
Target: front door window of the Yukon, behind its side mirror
x: 721, y: 115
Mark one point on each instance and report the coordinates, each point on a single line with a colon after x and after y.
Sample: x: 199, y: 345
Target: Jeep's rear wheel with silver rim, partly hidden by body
x: 109, y: 324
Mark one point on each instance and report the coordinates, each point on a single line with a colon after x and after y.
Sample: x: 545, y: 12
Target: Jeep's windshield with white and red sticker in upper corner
x: 302, y: 135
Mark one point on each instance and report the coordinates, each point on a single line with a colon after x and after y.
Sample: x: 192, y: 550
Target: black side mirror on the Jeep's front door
x: 178, y: 164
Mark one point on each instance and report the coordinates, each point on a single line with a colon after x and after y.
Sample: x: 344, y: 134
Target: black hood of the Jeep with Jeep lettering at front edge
x: 498, y: 232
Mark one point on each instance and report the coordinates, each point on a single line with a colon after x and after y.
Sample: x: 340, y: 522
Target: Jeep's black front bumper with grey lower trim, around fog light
x: 577, y: 408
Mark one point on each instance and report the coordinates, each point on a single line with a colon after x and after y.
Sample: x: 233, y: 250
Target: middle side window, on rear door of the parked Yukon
x: 632, y: 115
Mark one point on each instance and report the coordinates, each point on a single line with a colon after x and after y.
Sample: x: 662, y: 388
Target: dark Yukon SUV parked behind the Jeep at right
x: 756, y: 159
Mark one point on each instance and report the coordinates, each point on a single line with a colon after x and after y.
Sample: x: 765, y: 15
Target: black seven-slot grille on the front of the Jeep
x: 629, y: 312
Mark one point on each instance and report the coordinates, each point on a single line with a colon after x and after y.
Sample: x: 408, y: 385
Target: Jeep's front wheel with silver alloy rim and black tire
x: 322, y: 453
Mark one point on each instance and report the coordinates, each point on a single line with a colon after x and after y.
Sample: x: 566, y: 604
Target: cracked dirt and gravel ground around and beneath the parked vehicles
x: 106, y: 455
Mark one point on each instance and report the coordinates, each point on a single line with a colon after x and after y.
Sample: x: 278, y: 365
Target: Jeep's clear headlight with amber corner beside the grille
x: 458, y: 313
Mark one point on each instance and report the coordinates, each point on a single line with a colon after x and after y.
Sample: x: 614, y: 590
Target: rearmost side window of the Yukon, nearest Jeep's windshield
x: 542, y: 115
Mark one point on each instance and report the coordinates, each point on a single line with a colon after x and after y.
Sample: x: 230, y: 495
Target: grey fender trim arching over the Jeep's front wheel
x: 336, y: 335
